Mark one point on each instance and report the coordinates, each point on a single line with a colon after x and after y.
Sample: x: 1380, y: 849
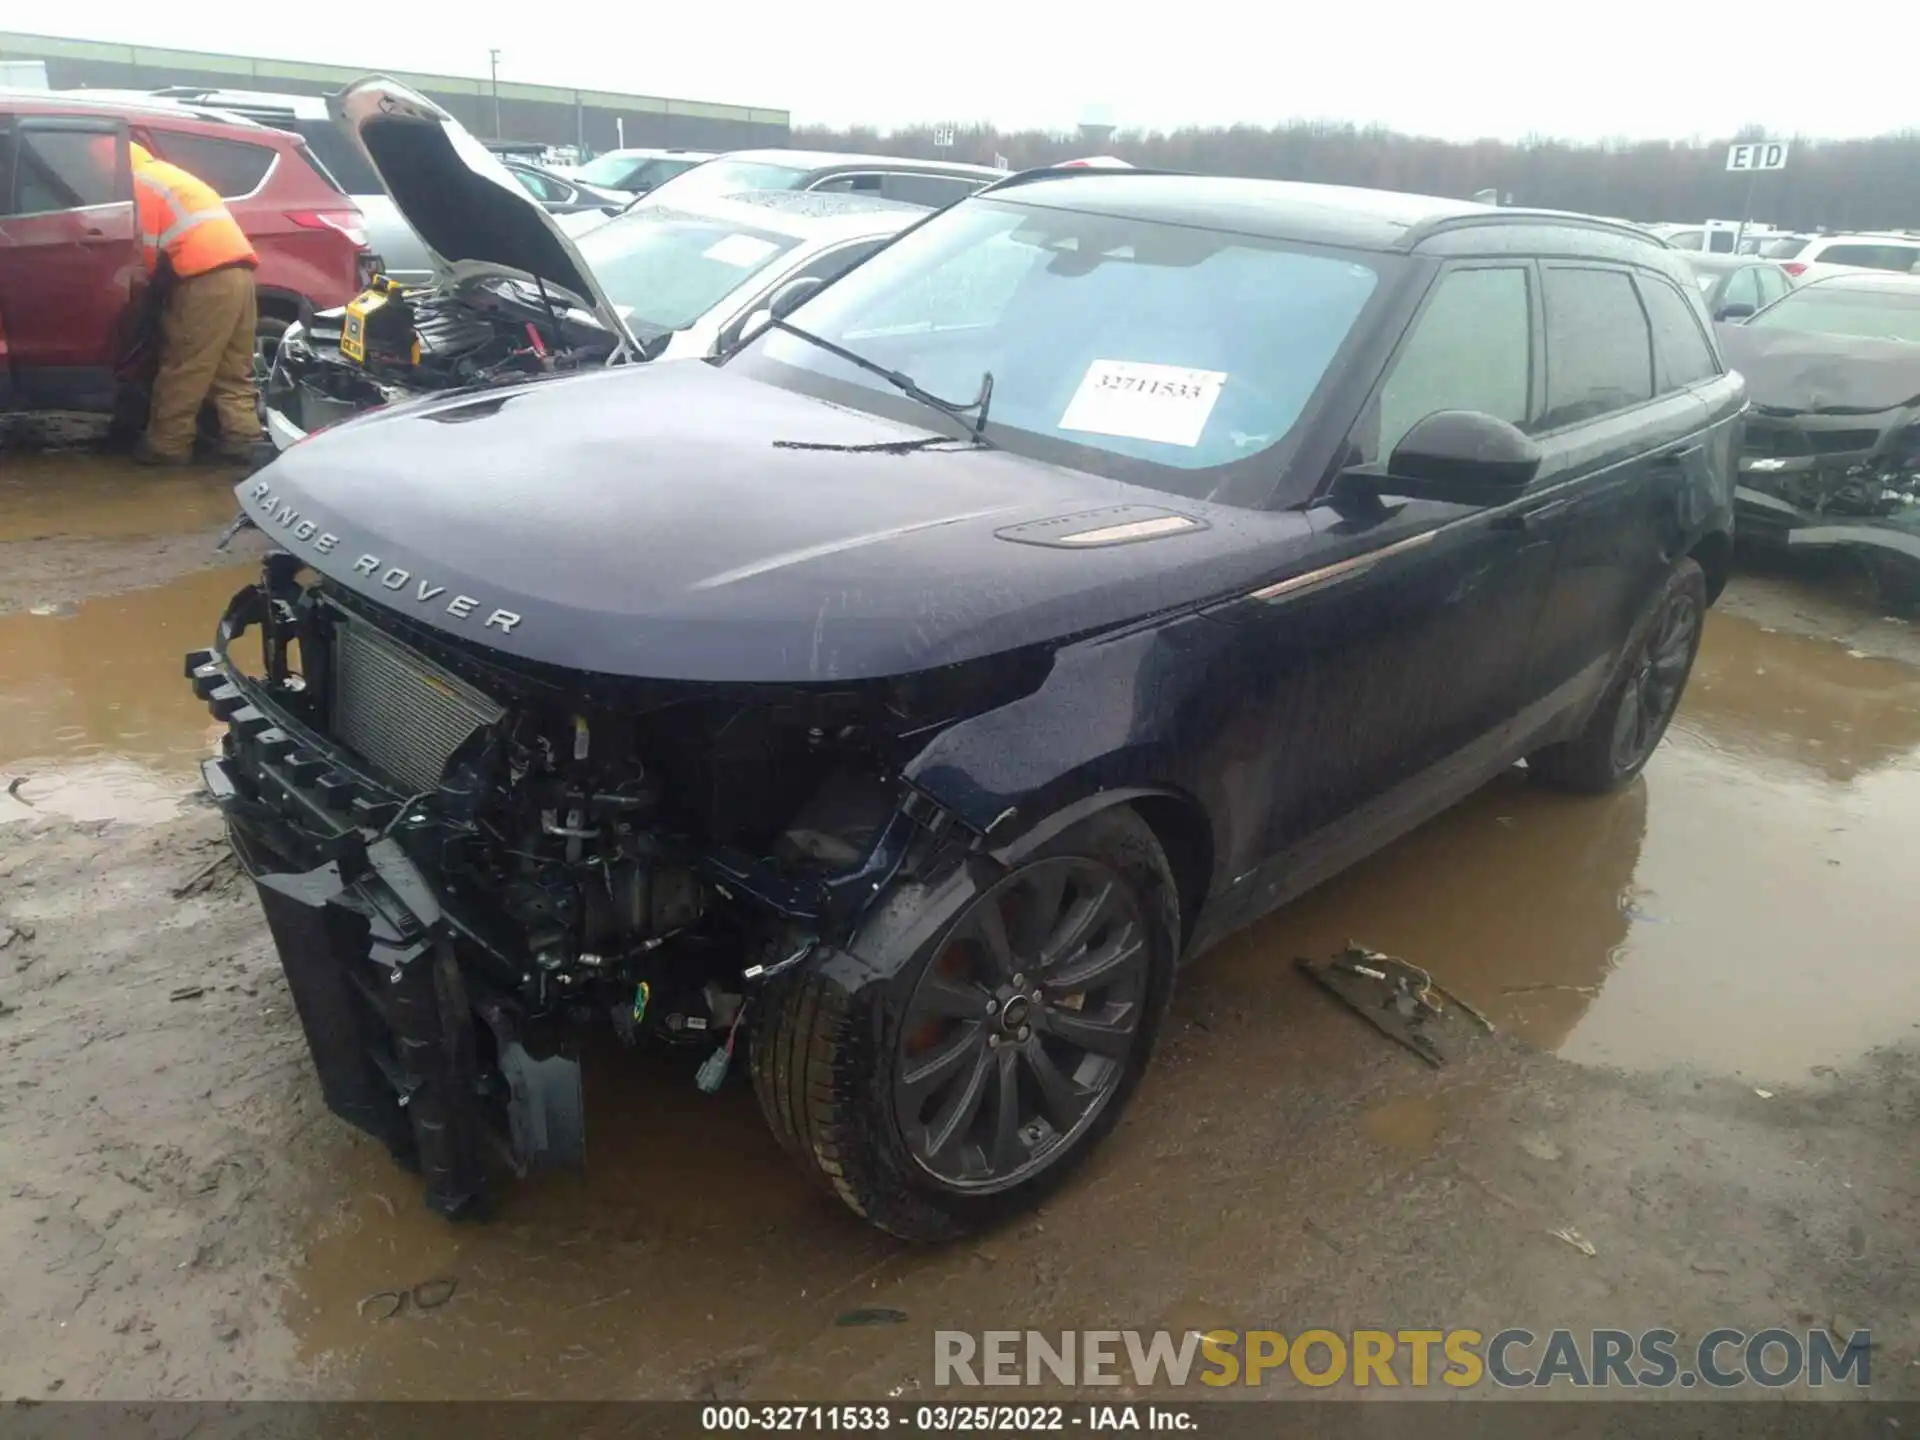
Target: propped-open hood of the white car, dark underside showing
x: 469, y: 212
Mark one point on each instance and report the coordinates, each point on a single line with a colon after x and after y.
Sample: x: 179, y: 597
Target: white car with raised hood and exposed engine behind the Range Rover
x: 516, y: 299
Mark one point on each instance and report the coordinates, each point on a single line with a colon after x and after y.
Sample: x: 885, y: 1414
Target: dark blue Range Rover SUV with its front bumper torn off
x: 894, y: 706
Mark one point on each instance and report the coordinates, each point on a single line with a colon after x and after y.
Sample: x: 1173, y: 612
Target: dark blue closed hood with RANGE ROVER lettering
x: 686, y: 523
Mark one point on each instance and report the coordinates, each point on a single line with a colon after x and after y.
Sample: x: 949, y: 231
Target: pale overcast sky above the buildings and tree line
x: 1460, y: 70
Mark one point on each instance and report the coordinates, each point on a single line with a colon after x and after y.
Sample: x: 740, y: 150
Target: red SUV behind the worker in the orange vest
x: 72, y: 287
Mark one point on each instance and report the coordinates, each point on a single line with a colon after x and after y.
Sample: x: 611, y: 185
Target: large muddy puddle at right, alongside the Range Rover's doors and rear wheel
x: 1740, y: 909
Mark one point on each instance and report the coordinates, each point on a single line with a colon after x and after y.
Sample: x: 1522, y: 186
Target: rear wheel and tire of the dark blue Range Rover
x: 1644, y: 696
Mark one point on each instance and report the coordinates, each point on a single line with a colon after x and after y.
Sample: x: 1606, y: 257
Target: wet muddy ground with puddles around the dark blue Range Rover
x: 1708, y: 1065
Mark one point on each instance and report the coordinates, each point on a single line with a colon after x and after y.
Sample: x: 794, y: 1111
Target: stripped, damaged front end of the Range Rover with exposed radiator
x: 464, y: 863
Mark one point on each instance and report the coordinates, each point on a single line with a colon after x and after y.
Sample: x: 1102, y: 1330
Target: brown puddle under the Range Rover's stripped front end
x: 585, y: 1285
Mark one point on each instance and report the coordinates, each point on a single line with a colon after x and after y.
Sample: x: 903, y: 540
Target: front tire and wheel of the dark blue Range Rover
x: 832, y: 1055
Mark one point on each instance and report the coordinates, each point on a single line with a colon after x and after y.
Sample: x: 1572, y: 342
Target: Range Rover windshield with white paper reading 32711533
x: 1153, y: 352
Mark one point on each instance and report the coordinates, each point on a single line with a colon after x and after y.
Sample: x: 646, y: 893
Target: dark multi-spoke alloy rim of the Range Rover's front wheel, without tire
x: 1020, y: 1030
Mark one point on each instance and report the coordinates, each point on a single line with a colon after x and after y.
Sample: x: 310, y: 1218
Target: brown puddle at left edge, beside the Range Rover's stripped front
x: 97, y: 721
